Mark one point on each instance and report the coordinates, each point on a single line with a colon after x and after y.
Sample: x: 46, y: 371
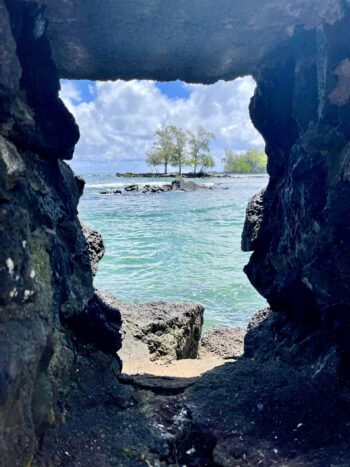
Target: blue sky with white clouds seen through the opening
x: 118, y: 119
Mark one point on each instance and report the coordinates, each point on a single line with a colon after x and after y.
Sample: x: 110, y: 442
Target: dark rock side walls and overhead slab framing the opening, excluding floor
x: 299, y: 54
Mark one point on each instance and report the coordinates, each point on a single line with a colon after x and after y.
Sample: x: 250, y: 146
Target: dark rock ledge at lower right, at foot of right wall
x: 303, y: 347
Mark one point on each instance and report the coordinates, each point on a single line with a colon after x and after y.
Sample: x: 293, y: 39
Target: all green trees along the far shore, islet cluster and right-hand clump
x: 177, y: 148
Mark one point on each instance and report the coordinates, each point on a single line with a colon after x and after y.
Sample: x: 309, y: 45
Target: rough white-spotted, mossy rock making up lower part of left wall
x: 45, y: 277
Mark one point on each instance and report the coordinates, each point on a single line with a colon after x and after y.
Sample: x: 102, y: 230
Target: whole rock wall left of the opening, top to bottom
x: 45, y: 272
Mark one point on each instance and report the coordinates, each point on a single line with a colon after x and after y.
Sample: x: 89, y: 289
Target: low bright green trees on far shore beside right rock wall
x: 252, y: 161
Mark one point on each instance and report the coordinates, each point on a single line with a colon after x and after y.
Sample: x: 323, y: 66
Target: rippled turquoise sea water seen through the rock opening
x: 176, y: 246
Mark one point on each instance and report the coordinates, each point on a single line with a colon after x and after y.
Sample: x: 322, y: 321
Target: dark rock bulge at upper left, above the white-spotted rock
x: 39, y: 120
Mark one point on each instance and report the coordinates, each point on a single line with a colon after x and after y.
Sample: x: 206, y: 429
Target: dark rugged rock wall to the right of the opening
x: 301, y: 255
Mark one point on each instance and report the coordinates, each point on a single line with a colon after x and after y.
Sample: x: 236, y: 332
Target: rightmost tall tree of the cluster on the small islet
x: 200, y: 150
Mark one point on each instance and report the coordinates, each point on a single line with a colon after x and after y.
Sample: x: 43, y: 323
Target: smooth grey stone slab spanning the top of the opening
x: 200, y: 41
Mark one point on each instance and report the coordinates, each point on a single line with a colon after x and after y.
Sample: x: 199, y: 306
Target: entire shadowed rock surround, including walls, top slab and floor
x: 58, y: 387
